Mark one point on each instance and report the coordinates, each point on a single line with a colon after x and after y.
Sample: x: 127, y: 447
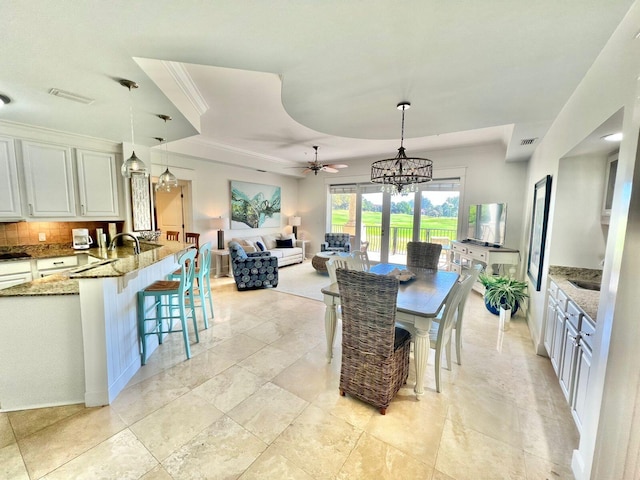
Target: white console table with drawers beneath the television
x: 468, y: 254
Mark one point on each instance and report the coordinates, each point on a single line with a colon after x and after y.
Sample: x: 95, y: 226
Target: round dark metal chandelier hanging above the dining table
x: 402, y: 173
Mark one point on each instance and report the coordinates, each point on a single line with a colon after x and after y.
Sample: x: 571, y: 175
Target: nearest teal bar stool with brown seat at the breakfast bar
x: 172, y: 301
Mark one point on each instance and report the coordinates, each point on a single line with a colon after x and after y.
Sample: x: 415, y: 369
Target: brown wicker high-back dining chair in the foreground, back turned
x: 375, y: 353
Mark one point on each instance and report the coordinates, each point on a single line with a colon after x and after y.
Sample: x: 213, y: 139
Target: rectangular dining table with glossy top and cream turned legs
x: 419, y: 301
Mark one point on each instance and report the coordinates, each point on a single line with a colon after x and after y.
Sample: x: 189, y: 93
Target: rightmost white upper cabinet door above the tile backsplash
x: 97, y: 184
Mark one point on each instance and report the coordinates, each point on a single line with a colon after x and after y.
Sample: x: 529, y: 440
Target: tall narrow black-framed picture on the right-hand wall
x: 538, y: 236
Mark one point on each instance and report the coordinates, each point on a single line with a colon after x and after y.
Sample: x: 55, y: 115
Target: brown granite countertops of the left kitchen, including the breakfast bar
x: 121, y: 262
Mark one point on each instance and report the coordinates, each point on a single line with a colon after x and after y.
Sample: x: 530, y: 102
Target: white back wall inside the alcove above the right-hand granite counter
x: 579, y: 238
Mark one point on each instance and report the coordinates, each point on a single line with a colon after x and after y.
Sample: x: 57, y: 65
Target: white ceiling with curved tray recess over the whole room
x: 258, y: 83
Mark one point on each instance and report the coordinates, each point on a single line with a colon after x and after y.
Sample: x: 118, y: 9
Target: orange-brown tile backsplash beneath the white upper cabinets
x: 27, y: 233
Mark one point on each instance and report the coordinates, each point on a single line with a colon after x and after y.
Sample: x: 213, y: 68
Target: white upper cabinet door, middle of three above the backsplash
x: 48, y: 173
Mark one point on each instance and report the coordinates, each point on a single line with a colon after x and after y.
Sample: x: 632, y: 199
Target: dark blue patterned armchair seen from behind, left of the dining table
x: 253, y: 270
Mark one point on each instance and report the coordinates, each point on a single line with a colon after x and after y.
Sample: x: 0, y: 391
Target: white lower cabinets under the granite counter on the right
x: 568, y: 334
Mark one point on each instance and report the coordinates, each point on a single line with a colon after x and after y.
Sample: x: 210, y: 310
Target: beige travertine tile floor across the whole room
x: 259, y: 401
